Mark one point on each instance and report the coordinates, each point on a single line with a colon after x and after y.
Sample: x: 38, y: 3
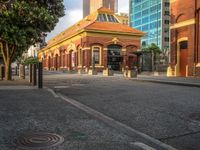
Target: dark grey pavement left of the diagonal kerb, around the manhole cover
x: 32, y: 111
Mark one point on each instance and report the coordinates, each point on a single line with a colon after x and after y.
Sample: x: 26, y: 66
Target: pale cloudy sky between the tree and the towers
x: 73, y: 13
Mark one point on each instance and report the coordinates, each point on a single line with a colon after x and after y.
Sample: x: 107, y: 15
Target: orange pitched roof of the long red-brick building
x: 90, y: 22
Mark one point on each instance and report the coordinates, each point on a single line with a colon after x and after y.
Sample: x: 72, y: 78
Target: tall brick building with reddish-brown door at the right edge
x: 185, y: 41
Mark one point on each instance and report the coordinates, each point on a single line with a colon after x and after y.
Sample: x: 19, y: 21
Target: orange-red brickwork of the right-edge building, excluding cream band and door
x: 181, y: 11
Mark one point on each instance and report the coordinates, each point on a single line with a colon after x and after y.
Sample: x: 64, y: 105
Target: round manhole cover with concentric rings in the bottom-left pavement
x: 39, y: 140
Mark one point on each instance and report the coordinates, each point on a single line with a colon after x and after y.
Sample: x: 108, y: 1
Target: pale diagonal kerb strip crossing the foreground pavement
x: 115, y: 124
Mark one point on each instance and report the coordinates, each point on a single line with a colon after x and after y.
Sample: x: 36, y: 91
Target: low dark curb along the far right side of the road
x: 168, y: 82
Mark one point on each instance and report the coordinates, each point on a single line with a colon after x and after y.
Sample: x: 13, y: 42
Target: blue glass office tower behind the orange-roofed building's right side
x: 153, y: 18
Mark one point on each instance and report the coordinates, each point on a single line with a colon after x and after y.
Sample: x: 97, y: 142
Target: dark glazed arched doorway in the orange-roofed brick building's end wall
x: 115, y: 59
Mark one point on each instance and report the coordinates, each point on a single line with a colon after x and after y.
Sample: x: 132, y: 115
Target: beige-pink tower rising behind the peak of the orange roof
x: 90, y: 6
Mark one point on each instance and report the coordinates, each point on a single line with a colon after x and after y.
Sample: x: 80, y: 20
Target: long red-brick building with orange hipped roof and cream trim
x: 90, y: 40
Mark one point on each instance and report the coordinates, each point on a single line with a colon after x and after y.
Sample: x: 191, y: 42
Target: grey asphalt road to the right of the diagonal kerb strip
x: 168, y: 113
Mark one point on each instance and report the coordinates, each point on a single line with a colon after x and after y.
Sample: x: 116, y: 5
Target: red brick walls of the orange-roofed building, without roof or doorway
x: 62, y: 59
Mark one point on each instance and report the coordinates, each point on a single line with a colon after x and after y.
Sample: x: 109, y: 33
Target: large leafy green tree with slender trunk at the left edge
x: 22, y: 23
